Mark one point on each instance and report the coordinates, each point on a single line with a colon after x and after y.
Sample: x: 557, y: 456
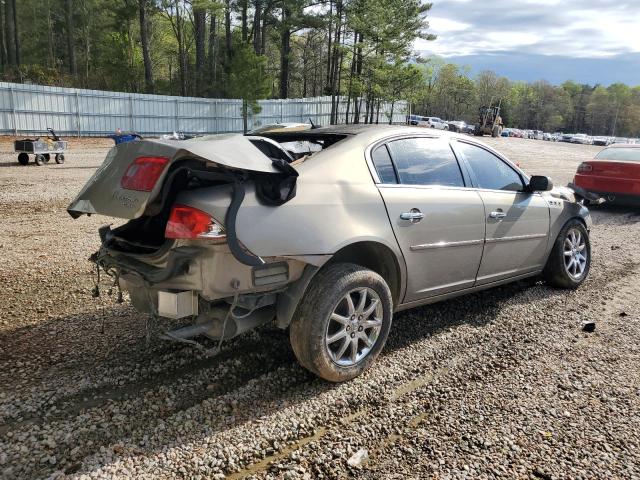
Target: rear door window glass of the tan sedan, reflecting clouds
x: 425, y: 161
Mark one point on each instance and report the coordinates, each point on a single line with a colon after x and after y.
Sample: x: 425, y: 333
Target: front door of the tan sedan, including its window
x: 517, y: 222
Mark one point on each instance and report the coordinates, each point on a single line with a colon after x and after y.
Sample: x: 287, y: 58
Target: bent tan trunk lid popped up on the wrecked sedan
x: 104, y: 193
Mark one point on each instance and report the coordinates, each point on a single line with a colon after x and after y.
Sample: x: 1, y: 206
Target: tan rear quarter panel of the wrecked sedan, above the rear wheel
x: 336, y: 204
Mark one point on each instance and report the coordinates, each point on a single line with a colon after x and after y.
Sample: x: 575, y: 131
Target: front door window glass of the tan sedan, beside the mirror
x: 490, y: 171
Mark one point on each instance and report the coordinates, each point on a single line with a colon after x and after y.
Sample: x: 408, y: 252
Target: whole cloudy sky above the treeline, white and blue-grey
x: 589, y: 41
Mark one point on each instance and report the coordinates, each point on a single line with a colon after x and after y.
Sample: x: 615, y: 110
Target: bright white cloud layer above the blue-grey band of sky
x: 581, y: 29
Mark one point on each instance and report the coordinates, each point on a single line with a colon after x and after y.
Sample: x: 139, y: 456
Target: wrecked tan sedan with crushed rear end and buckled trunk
x: 327, y: 232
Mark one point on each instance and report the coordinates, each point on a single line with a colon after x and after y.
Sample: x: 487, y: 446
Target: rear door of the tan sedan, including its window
x: 438, y: 221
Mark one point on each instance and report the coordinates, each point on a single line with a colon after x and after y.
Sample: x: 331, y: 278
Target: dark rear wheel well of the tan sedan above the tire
x: 374, y: 256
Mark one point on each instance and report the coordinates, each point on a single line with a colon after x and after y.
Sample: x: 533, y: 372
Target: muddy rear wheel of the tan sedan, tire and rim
x: 342, y: 322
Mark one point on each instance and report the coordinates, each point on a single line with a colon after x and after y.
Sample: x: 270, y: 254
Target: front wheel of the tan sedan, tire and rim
x: 570, y: 259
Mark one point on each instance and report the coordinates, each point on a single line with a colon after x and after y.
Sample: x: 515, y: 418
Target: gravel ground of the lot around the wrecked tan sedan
x: 502, y: 383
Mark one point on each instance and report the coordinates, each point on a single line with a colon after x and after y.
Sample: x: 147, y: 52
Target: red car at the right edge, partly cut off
x: 614, y: 173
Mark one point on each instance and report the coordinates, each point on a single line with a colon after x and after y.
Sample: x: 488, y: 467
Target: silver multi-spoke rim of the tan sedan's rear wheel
x: 354, y: 326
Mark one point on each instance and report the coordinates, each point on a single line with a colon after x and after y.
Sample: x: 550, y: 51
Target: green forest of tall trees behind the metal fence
x: 255, y: 49
